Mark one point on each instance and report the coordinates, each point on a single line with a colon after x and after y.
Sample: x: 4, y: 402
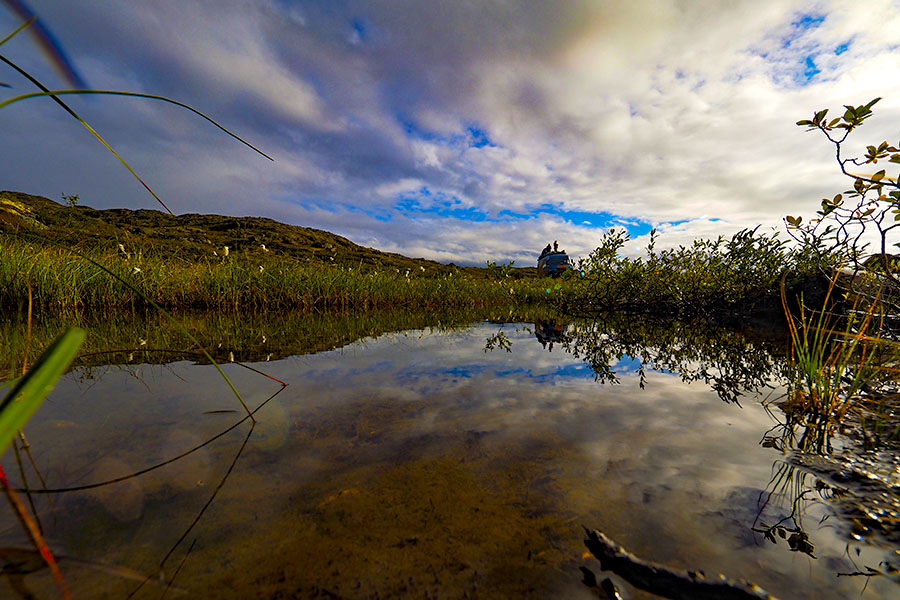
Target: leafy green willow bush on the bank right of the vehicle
x: 738, y: 275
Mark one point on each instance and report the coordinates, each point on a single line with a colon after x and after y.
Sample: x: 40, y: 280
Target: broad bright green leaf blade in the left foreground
x: 30, y: 390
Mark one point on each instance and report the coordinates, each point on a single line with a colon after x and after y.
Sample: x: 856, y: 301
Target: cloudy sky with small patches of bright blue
x: 463, y: 131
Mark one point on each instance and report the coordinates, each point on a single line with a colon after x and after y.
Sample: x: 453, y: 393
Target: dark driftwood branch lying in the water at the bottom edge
x: 663, y: 581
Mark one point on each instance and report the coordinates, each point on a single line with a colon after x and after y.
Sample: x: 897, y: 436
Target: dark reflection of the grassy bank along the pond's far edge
x: 245, y: 336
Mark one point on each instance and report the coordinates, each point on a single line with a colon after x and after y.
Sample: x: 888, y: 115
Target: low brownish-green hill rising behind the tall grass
x: 192, y: 236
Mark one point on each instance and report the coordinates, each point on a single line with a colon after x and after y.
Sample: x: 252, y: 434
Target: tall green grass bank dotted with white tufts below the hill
x: 60, y: 280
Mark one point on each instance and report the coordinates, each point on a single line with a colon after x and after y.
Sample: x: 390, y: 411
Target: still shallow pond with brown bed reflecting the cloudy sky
x: 460, y: 459
